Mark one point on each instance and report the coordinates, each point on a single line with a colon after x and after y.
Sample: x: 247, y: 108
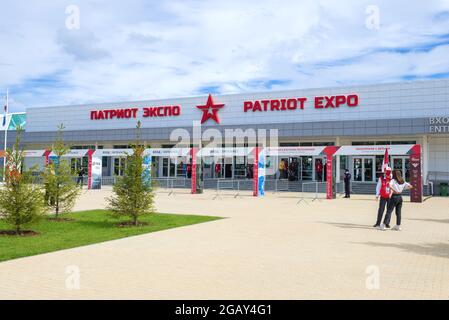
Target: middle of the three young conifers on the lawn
x: 61, y: 191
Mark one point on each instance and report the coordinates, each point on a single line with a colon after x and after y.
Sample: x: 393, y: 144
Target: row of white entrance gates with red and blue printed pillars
x: 258, y: 154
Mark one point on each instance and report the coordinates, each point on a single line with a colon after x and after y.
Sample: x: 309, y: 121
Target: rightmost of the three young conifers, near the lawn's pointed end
x: 133, y: 192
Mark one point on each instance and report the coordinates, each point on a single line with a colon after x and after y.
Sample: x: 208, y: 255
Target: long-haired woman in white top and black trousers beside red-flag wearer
x: 397, y: 186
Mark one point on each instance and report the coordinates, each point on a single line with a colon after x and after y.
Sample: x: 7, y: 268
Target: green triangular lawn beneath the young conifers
x: 89, y: 227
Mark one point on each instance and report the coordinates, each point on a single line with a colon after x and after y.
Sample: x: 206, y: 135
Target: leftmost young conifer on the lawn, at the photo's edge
x: 21, y: 201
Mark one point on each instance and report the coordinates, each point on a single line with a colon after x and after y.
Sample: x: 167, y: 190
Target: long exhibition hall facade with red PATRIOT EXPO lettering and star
x: 394, y: 113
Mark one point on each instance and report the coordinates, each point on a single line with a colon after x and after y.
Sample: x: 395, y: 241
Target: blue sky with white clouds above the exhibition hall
x: 136, y: 50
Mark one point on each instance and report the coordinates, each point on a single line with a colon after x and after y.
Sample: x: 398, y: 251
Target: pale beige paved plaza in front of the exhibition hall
x: 265, y: 248
